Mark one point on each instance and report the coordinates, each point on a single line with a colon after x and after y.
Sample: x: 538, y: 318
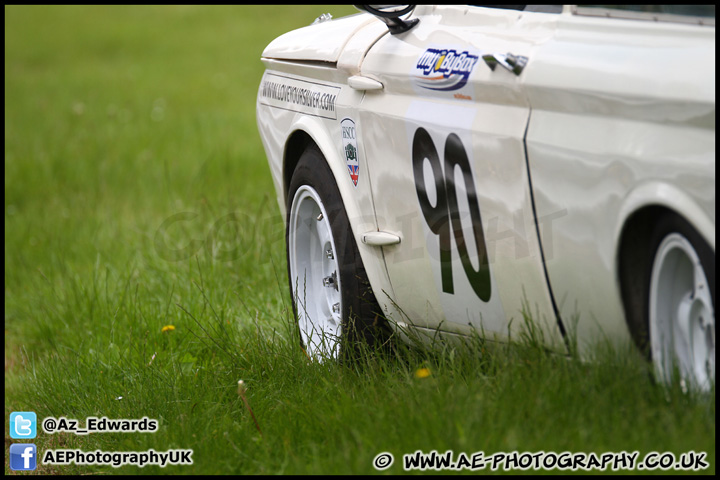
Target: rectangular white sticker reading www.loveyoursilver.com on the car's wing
x: 300, y: 96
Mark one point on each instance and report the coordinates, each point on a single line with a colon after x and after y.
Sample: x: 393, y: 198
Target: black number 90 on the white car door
x: 443, y: 219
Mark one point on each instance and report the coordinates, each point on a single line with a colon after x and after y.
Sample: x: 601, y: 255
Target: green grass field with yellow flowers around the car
x: 137, y: 196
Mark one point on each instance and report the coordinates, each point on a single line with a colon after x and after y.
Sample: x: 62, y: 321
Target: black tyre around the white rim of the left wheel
x: 362, y: 320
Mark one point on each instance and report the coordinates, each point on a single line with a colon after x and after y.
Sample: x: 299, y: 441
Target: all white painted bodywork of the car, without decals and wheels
x: 593, y: 102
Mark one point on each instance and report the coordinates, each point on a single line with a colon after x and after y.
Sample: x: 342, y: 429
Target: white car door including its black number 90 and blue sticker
x: 485, y: 118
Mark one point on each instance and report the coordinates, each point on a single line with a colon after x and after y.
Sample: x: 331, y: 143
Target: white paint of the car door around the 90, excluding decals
x: 491, y: 127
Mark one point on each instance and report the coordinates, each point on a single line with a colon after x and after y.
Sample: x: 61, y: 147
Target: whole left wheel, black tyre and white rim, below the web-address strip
x: 333, y: 302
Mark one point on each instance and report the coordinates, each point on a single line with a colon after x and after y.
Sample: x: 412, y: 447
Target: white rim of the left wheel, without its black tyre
x: 313, y: 260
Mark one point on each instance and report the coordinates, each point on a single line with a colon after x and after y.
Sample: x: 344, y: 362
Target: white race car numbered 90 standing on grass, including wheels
x: 454, y: 167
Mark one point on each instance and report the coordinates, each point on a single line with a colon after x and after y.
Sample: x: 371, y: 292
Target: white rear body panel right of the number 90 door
x: 609, y: 119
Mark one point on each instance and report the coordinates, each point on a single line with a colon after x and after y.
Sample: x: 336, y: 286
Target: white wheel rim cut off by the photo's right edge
x: 682, y: 319
